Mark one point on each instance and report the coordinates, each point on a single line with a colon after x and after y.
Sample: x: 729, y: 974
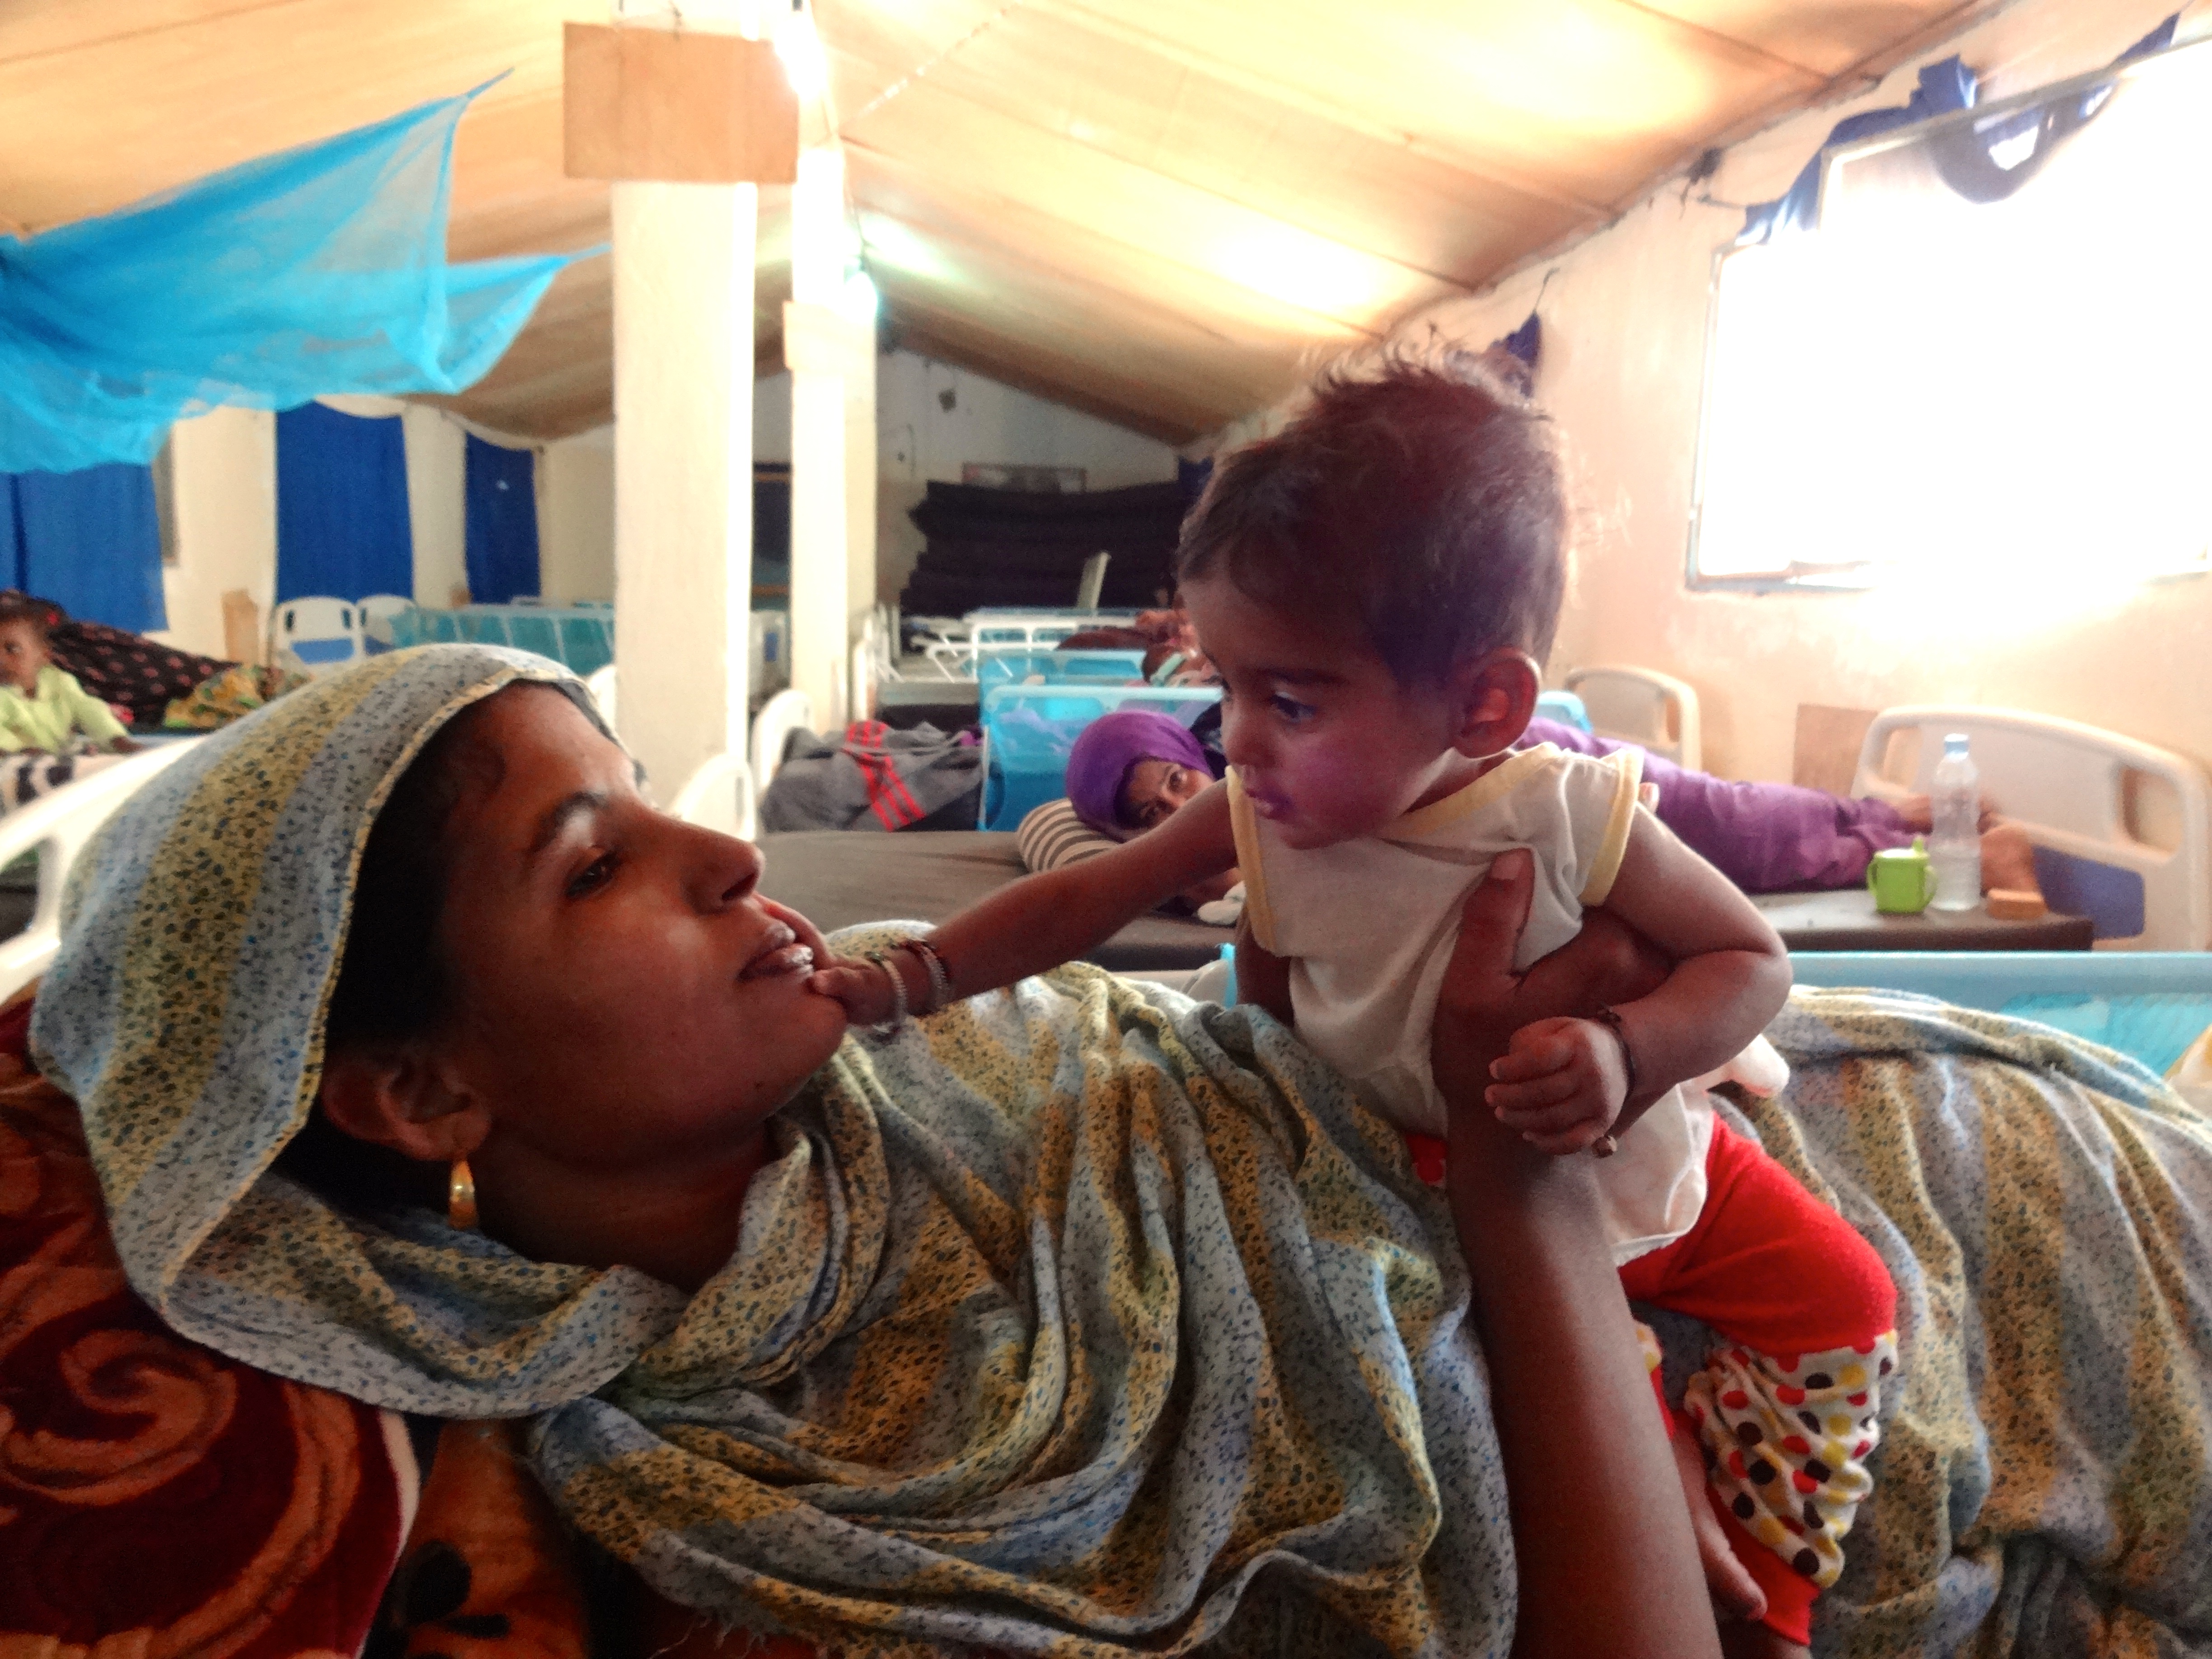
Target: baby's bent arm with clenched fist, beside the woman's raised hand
x: 1565, y: 1083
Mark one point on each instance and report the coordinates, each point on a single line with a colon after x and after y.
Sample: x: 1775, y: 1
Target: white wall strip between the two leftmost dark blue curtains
x: 225, y: 501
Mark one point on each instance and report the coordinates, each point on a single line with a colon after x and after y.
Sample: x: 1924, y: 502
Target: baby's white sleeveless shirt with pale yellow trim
x: 1370, y: 926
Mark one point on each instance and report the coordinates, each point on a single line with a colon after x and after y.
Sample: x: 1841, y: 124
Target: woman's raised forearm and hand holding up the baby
x: 1603, y: 1541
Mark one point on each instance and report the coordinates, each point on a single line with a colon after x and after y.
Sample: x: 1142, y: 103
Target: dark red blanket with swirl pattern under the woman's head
x: 158, y: 1499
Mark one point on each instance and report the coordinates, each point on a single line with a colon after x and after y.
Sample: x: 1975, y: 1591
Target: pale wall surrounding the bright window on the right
x: 1625, y: 324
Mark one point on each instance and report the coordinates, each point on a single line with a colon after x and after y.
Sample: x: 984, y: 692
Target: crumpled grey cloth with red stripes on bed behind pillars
x: 870, y: 778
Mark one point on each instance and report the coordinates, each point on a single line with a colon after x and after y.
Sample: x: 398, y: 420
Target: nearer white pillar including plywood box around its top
x: 689, y: 116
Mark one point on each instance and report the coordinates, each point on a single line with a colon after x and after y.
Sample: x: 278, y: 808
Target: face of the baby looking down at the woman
x: 1324, y: 738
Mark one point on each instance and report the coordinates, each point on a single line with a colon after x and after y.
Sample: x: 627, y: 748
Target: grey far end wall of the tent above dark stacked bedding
x: 919, y: 441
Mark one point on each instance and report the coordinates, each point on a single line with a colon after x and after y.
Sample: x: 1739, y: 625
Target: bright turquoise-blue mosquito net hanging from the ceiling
x: 269, y: 284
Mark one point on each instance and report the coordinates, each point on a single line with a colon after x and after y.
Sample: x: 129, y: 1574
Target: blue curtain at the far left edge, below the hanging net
x: 90, y: 541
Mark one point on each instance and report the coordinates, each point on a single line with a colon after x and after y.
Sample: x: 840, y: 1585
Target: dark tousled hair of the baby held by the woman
x: 1415, y: 492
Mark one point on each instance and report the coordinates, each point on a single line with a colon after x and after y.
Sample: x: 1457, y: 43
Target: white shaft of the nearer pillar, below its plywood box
x: 682, y: 472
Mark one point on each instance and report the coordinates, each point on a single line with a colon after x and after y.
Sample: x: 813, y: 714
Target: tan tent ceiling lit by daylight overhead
x: 1160, y: 211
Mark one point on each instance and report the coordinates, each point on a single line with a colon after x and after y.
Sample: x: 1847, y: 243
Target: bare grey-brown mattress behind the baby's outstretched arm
x: 839, y: 881
